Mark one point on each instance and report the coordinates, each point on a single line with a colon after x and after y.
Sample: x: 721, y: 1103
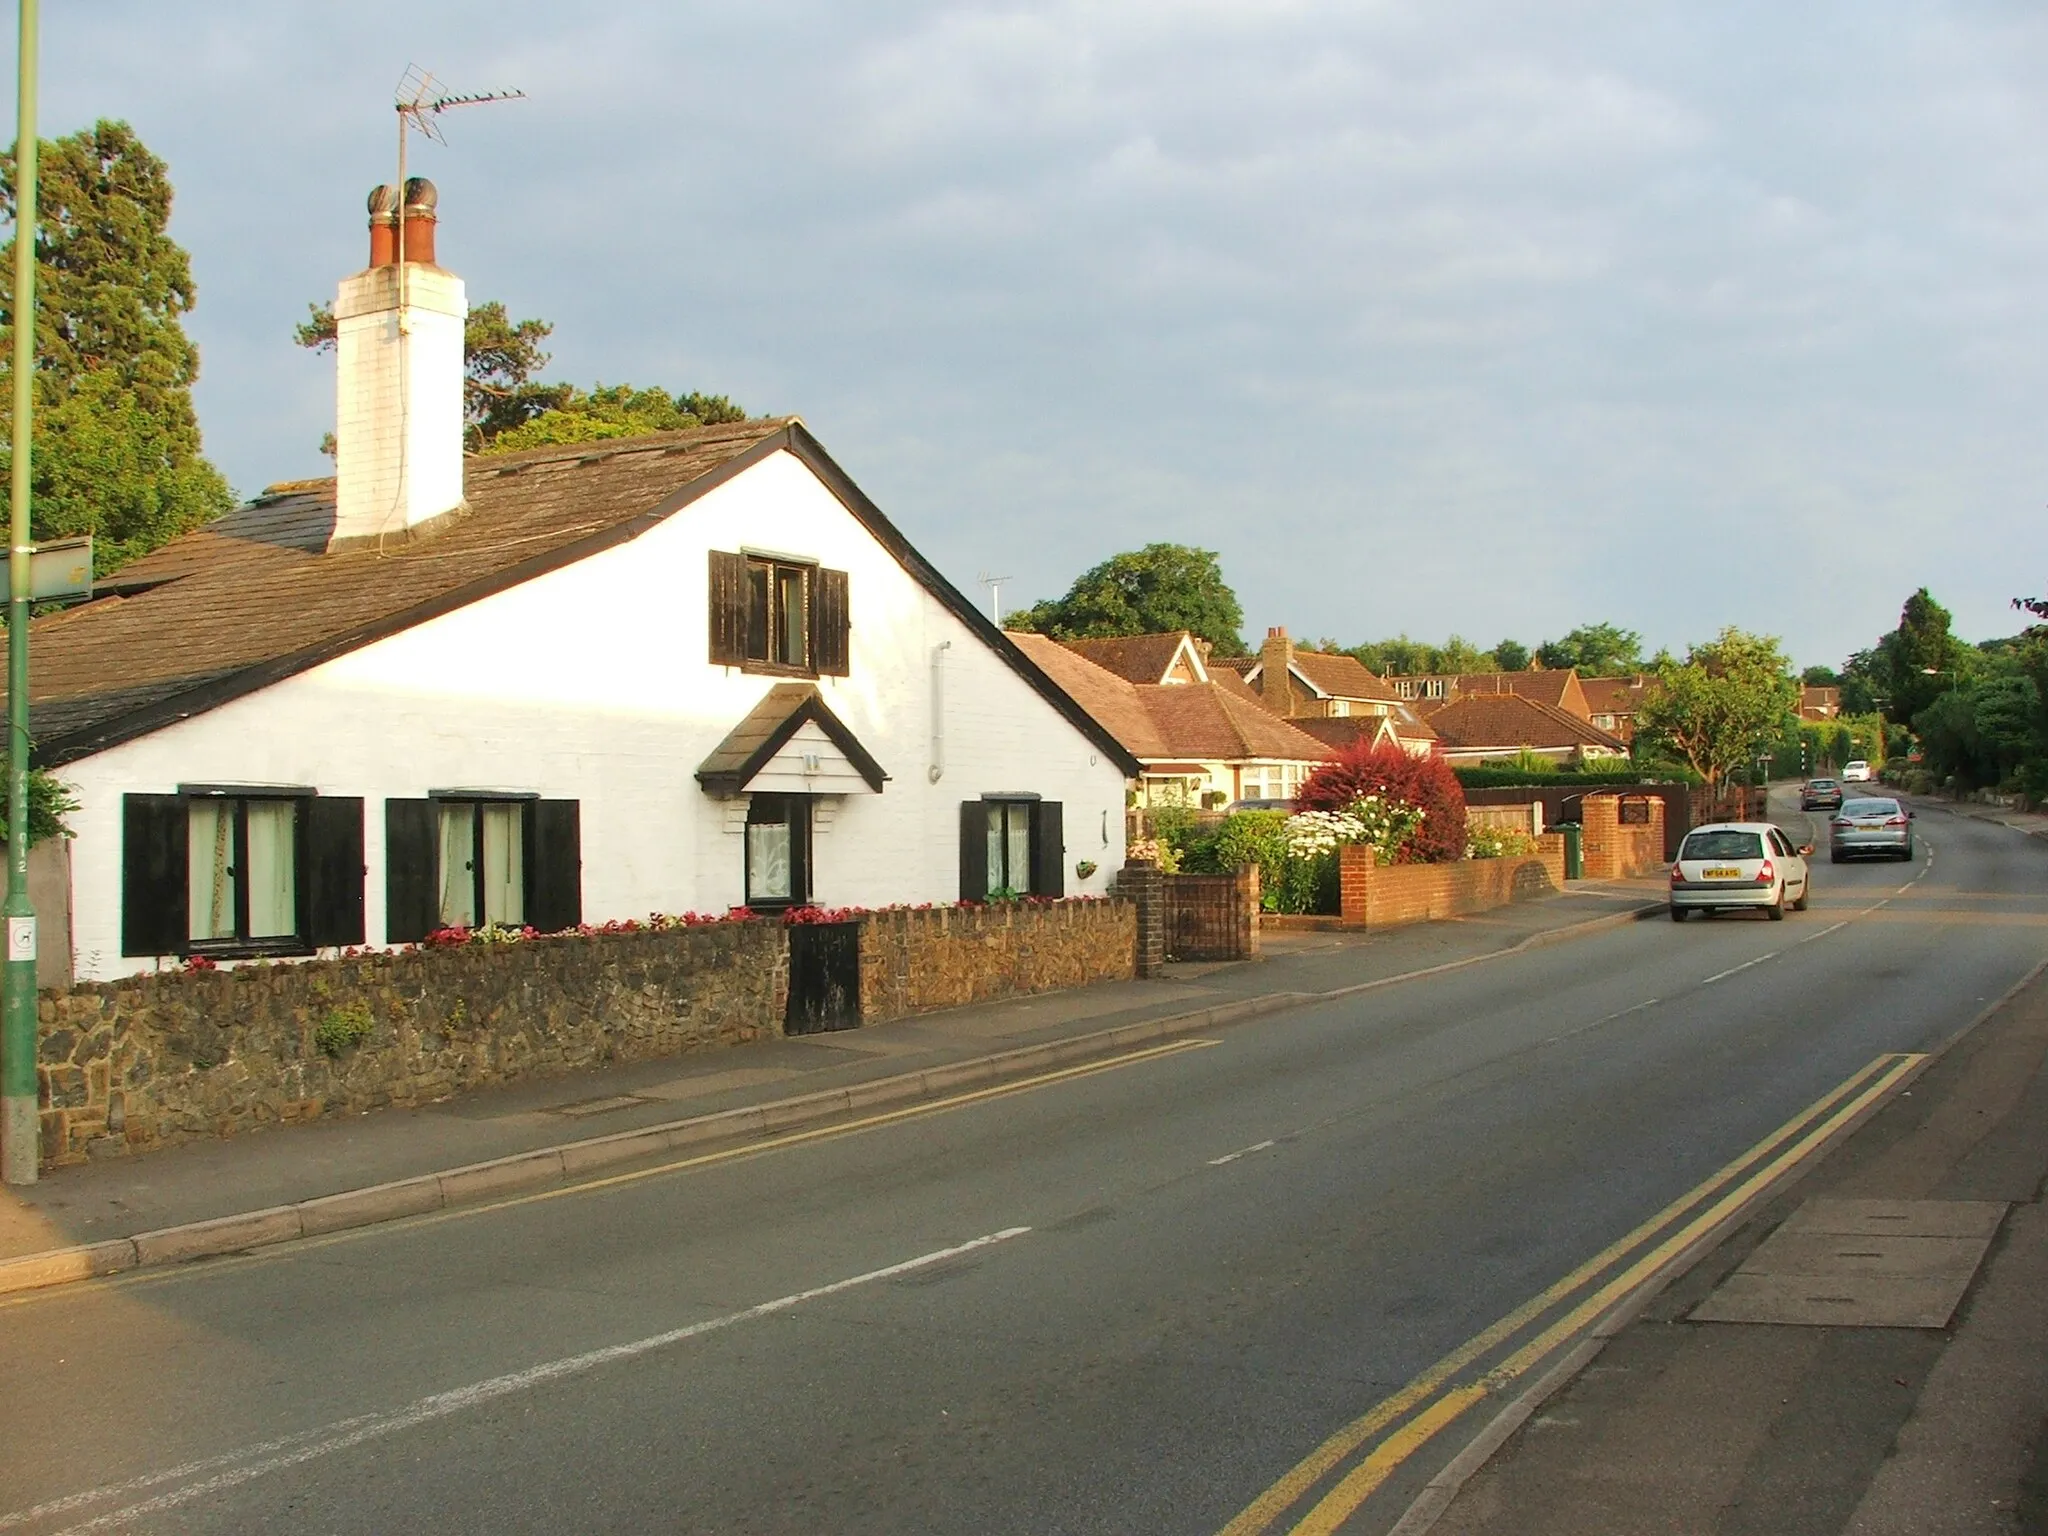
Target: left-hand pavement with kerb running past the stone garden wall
x: 216, y: 1197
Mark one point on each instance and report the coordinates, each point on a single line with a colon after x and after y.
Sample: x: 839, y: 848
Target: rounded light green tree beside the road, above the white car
x: 1719, y: 706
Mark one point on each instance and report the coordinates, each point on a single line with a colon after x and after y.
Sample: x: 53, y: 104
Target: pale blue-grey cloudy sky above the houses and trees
x: 1433, y: 316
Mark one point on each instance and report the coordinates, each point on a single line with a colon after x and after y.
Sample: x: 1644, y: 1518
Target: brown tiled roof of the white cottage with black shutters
x: 255, y: 597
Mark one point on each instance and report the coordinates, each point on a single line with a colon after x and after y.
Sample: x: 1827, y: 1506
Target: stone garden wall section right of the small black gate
x: 943, y: 957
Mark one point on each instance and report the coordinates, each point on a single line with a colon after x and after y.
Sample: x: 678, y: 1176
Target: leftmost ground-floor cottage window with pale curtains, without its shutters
x: 243, y: 871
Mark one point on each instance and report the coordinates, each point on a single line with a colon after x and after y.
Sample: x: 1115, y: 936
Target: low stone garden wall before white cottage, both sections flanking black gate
x: 148, y: 1062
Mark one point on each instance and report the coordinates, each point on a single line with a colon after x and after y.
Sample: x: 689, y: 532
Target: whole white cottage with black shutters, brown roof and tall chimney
x: 679, y: 673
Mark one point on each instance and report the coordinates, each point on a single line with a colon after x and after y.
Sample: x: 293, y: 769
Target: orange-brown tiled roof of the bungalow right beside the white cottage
x: 1175, y: 722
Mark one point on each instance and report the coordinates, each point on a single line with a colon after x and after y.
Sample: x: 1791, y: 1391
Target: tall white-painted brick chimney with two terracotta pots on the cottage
x: 398, y: 400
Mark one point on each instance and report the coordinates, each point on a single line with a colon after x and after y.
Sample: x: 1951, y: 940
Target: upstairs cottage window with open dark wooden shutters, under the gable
x: 777, y: 613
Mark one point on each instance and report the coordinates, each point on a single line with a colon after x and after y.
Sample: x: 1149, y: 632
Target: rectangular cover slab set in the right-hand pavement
x: 1861, y: 1265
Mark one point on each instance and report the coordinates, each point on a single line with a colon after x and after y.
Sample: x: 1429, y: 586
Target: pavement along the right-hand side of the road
x: 1697, y: 1418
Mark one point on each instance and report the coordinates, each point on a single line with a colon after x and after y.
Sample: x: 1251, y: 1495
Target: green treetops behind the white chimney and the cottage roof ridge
x: 507, y: 407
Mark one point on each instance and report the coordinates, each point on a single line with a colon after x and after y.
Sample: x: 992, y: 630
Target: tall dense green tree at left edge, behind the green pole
x: 118, y: 447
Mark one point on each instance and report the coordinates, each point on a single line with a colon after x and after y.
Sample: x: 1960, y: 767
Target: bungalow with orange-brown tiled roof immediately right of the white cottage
x: 1201, y: 744
